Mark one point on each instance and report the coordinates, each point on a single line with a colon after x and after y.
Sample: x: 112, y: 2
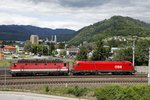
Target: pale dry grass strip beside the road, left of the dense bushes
x: 70, y: 91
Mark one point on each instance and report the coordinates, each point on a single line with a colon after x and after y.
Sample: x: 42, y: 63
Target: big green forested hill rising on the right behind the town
x: 115, y: 26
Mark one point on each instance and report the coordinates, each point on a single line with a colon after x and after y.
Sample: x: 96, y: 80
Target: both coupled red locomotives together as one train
x: 57, y: 67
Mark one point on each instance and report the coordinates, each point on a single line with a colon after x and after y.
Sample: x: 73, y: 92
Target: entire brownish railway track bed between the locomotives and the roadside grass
x: 72, y: 80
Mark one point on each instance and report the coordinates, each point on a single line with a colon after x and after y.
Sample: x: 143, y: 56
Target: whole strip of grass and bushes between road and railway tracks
x: 109, y: 92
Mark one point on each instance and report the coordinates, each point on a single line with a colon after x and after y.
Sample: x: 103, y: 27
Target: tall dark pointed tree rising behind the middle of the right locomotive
x: 100, y: 52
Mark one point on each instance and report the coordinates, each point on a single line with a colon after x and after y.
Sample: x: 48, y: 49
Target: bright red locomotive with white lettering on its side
x: 96, y: 67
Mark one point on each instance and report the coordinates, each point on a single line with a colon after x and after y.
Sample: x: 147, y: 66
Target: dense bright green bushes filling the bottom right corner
x: 141, y: 92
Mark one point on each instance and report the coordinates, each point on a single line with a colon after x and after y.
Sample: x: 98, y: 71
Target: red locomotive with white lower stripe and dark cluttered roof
x: 39, y: 66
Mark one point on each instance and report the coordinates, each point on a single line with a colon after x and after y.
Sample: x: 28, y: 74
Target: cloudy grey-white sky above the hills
x: 71, y: 14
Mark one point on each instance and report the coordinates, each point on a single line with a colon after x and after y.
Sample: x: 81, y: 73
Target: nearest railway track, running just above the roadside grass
x: 74, y: 81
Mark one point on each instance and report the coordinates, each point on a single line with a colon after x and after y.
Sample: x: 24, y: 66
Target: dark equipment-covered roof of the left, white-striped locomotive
x: 39, y: 60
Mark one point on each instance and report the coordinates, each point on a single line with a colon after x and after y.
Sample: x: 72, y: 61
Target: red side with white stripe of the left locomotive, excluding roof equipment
x: 39, y: 68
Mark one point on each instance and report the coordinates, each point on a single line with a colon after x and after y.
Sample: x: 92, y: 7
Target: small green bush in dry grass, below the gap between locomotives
x: 77, y: 91
